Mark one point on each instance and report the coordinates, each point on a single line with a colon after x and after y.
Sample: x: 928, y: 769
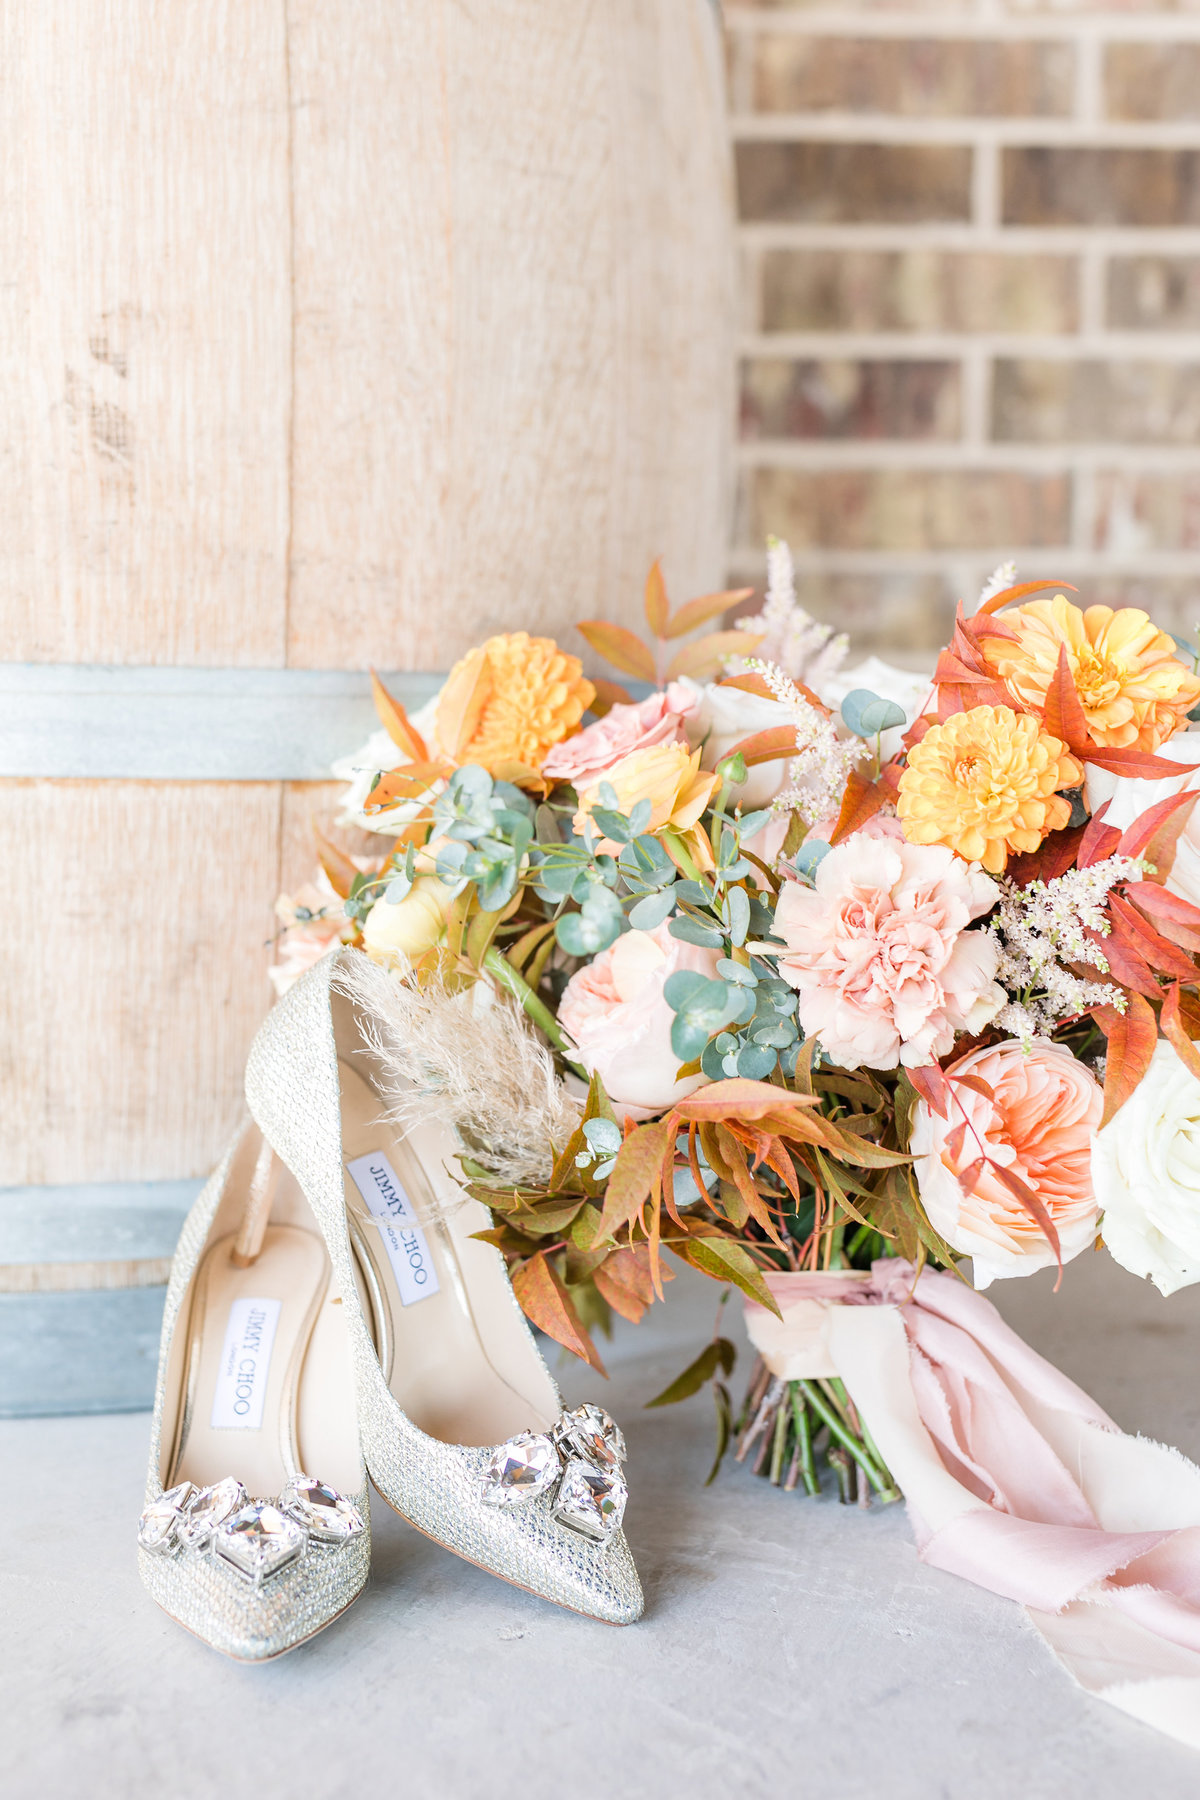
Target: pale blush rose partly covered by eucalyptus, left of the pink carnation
x: 616, y: 1014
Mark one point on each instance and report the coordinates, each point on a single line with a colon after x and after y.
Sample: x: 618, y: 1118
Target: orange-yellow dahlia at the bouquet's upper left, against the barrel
x: 510, y: 701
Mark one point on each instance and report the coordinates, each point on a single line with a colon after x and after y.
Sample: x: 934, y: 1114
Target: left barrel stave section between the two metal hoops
x: 134, y: 975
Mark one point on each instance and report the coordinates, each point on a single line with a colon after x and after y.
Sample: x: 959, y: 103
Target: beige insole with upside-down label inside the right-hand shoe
x: 449, y: 1331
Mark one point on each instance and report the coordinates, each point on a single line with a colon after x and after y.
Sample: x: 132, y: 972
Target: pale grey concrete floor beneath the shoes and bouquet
x: 791, y: 1648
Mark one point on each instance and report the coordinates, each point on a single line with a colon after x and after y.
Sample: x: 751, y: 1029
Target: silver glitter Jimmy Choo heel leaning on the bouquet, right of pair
x: 461, y: 1423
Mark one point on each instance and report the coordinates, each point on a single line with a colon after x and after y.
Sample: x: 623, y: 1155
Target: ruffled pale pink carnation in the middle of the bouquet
x: 881, y: 953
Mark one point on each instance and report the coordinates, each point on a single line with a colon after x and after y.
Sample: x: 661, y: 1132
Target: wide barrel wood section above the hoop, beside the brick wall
x: 514, y: 312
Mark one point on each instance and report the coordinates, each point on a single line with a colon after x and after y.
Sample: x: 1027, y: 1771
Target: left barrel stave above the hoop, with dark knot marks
x: 147, y: 332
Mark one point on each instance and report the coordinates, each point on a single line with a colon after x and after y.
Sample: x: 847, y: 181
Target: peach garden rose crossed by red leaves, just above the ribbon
x: 1037, y: 1124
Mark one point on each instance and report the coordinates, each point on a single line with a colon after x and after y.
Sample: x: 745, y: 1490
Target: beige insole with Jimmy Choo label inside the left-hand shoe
x: 247, y: 1340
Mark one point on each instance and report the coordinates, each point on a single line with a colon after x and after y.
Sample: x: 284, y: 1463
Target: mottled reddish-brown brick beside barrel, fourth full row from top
x: 843, y: 399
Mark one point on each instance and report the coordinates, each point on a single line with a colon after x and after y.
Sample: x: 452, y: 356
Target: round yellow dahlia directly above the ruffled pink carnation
x: 985, y: 784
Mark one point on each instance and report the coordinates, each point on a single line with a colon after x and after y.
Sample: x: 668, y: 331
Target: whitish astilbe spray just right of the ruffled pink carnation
x: 1043, y: 928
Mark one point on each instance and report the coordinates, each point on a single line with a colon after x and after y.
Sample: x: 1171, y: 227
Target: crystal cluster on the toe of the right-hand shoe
x: 580, y: 1457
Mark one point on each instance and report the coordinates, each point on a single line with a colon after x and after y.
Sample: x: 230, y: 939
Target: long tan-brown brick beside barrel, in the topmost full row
x: 915, y: 76
